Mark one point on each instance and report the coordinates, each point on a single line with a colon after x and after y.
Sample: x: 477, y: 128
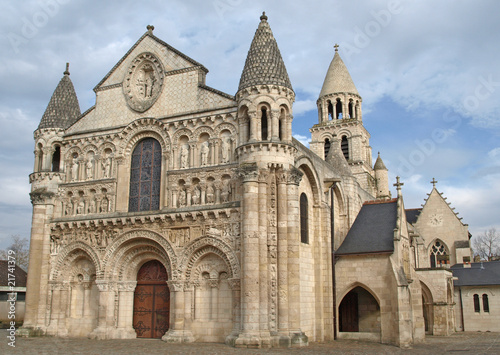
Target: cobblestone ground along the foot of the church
x: 459, y: 343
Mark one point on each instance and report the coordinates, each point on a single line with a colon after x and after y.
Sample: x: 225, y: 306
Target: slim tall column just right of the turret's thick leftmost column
x: 264, y: 261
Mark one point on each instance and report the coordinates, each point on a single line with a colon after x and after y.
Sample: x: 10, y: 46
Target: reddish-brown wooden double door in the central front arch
x: 151, y: 301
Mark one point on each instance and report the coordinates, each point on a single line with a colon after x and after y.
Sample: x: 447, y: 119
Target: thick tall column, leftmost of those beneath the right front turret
x: 250, y: 313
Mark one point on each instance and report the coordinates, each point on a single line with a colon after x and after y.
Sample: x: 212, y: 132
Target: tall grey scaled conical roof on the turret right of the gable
x: 264, y: 64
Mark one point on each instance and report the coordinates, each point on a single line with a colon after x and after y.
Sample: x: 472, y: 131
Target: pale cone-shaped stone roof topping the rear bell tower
x: 338, y: 78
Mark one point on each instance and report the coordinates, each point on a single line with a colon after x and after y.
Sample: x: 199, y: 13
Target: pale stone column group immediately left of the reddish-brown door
x: 126, y: 310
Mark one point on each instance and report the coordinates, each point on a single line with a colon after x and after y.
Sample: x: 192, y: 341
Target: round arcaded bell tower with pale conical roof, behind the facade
x: 340, y: 121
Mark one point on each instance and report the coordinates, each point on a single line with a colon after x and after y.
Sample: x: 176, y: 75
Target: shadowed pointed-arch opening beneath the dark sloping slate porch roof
x: 359, y: 311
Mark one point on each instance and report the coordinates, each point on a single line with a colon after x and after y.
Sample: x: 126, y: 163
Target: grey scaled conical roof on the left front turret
x: 63, y: 108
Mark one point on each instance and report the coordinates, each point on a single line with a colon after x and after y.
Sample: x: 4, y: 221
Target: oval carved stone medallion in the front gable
x: 143, y: 82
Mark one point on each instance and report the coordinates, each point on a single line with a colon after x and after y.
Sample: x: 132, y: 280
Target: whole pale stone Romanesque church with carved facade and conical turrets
x: 172, y: 210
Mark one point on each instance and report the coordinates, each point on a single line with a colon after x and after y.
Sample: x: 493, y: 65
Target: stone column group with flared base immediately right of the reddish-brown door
x: 176, y: 332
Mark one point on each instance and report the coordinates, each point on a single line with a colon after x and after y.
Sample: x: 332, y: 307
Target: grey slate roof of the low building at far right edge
x: 479, y: 274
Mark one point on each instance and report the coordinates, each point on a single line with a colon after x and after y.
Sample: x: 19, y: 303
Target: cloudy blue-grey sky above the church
x: 428, y: 73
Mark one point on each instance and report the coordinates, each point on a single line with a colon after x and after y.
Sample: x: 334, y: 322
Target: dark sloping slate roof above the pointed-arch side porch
x: 373, y: 229
